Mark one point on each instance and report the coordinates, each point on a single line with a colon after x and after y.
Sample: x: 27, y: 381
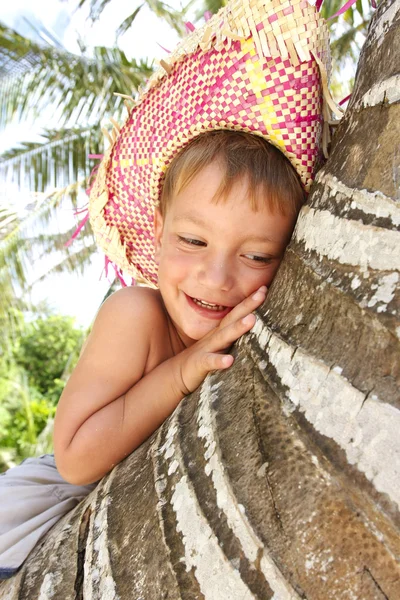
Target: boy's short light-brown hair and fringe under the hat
x: 269, y: 173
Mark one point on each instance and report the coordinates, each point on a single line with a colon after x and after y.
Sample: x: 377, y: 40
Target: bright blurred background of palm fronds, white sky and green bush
x: 61, y: 61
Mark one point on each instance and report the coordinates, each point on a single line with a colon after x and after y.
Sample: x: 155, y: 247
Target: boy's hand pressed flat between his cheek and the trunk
x: 207, y: 354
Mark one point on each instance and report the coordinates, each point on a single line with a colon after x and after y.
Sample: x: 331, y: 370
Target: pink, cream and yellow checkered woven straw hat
x: 259, y: 66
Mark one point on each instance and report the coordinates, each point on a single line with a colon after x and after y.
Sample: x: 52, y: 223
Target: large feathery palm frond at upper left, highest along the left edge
x: 77, y: 88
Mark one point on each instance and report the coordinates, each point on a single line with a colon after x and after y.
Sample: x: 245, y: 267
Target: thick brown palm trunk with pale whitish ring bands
x: 280, y: 478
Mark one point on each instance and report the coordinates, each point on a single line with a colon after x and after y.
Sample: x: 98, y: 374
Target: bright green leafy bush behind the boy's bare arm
x: 32, y: 377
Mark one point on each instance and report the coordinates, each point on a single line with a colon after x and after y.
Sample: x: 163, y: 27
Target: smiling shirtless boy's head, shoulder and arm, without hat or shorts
x: 228, y: 209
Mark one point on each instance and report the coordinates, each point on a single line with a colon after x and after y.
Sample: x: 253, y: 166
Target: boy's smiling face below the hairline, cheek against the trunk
x: 211, y: 256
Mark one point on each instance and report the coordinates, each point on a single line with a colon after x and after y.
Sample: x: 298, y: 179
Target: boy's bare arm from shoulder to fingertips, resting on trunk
x: 109, y: 406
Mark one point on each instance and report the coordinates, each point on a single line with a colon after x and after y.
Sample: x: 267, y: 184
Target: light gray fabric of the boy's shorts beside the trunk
x: 33, y: 497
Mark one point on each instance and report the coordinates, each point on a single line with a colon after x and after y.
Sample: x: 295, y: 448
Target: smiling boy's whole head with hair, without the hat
x: 227, y: 212
